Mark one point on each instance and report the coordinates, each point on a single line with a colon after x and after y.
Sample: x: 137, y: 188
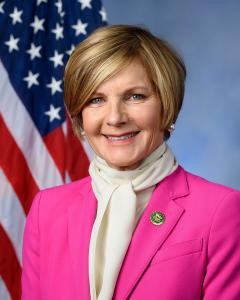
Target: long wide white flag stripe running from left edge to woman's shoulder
x: 26, y: 135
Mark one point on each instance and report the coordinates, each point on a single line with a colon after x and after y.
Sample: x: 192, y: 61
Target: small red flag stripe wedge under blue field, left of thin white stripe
x: 55, y: 144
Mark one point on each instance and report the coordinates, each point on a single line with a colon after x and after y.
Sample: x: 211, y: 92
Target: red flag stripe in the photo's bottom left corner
x: 10, y: 269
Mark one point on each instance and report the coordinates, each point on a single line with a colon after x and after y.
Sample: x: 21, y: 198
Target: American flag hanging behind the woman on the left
x: 37, y: 146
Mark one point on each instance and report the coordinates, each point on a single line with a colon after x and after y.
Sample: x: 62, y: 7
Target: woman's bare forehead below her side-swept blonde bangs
x: 132, y: 75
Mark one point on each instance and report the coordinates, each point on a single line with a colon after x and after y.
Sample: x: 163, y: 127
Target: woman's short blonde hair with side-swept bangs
x: 106, y: 51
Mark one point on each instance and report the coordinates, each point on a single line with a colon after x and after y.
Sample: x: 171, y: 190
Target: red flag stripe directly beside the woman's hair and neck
x: 77, y: 160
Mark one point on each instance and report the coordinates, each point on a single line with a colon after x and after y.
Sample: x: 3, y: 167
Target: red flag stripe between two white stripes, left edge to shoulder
x: 15, y: 168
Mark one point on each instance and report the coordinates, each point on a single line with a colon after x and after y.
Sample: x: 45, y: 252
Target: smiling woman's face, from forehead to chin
x: 122, y: 119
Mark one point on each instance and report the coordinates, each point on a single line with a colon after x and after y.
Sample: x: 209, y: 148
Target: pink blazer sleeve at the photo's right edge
x: 222, y: 280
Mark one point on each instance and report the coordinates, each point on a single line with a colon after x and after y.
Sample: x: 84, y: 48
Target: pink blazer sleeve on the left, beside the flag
x: 31, y: 259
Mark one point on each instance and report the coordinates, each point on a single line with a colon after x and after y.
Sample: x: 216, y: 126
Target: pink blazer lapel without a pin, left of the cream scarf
x: 81, y: 216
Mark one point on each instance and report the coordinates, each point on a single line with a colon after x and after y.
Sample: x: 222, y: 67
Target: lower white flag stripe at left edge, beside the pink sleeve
x: 12, y: 216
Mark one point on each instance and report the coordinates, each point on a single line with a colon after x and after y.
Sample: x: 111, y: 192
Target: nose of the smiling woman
x: 116, y: 114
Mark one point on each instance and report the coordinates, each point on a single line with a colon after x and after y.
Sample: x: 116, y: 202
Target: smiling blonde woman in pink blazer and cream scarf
x: 140, y: 227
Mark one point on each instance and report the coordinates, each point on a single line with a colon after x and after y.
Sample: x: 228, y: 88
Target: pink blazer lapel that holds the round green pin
x: 148, y: 238
